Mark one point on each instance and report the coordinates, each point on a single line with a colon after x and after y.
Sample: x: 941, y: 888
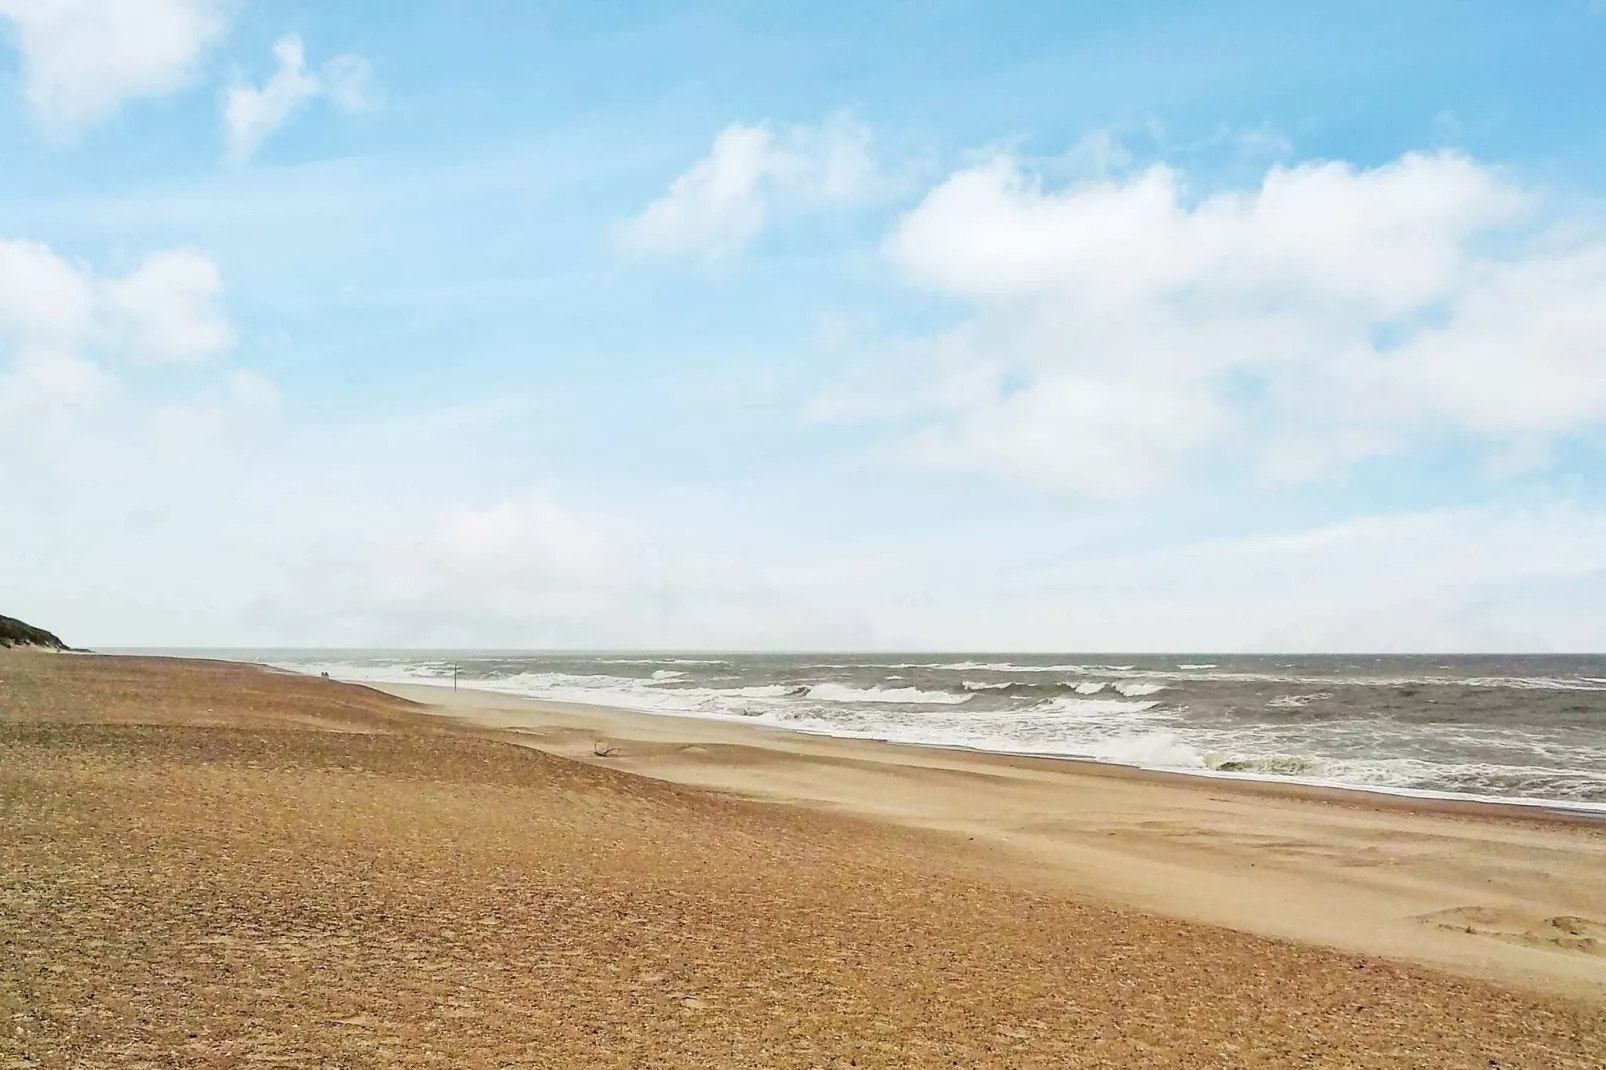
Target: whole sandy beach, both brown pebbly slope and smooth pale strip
x: 221, y: 865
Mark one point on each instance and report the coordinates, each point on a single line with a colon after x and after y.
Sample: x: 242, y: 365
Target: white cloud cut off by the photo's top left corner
x: 86, y: 57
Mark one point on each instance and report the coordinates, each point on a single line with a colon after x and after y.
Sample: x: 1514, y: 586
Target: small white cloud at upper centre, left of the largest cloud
x: 724, y: 202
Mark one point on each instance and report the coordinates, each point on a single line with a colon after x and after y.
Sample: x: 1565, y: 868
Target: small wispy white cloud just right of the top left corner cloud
x: 253, y: 115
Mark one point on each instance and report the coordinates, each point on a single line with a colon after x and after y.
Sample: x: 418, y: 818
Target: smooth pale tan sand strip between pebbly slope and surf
x: 1480, y: 889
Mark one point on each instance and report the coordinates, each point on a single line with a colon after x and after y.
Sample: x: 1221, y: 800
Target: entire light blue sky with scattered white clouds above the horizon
x: 974, y: 327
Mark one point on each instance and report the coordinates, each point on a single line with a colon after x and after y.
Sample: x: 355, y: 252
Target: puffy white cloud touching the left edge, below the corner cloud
x: 59, y: 324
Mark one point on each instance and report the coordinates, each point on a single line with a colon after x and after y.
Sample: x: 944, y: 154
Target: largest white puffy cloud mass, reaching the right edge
x: 1125, y: 329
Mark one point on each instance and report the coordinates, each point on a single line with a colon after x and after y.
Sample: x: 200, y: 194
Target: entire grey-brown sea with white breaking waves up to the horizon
x: 1490, y: 727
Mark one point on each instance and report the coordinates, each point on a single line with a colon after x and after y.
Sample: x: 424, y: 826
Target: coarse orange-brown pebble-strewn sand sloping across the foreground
x: 216, y: 867
